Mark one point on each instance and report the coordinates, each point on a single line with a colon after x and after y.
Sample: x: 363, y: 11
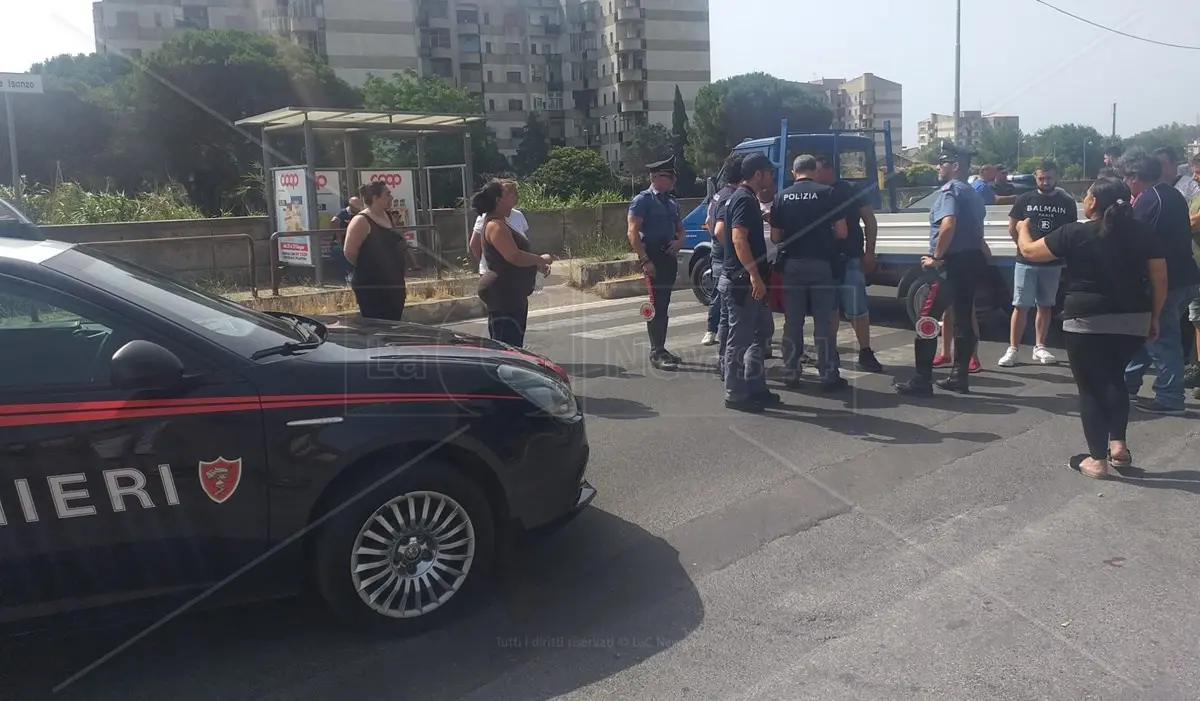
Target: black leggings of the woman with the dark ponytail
x: 1099, y: 363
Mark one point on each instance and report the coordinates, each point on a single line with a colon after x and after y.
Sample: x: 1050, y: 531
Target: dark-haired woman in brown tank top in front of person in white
x: 512, y: 268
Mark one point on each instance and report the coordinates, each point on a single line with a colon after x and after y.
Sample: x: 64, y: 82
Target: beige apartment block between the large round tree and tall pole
x: 865, y: 104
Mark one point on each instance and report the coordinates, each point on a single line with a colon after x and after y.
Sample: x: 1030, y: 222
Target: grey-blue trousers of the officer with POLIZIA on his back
x: 811, y: 281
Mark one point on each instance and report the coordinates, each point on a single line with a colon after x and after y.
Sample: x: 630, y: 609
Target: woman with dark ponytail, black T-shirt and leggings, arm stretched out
x: 1117, y: 285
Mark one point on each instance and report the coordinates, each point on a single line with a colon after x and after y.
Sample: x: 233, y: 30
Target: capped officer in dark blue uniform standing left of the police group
x: 657, y: 235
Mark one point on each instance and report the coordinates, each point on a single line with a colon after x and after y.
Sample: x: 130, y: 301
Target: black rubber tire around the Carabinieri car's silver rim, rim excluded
x: 335, y: 541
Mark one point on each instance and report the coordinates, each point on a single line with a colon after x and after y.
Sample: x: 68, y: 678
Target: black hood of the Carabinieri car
x: 356, y: 339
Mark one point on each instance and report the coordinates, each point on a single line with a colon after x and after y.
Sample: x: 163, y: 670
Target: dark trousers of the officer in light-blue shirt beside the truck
x: 955, y: 289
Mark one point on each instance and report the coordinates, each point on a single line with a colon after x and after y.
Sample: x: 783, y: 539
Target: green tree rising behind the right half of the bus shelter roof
x: 410, y: 92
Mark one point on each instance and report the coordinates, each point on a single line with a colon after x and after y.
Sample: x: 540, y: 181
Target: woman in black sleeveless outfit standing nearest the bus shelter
x: 379, y: 256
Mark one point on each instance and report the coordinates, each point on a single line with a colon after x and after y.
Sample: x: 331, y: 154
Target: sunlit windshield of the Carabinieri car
x: 226, y: 323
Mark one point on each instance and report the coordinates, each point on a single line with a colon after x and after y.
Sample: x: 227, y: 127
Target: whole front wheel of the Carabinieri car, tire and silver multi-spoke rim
x: 406, y: 556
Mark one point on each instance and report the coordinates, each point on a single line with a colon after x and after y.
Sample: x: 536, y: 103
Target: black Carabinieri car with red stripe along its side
x: 160, y: 446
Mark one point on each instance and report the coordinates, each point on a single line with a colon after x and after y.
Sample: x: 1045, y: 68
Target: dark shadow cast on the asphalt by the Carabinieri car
x: 569, y: 610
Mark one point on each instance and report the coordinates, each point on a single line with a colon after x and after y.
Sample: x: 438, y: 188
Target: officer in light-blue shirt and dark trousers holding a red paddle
x: 957, y: 255
